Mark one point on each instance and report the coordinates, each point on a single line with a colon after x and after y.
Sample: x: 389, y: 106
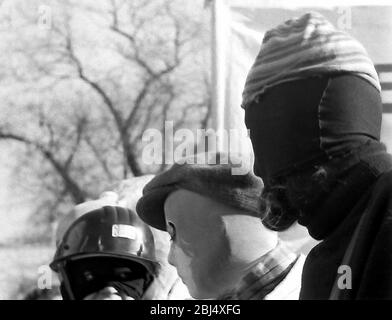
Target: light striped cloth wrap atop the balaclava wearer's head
x: 303, y: 47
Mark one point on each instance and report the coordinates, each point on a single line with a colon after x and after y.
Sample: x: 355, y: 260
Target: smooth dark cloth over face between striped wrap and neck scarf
x: 307, y: 122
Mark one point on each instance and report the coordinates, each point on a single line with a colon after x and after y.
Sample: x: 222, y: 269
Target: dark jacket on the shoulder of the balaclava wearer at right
x: 359, y: 212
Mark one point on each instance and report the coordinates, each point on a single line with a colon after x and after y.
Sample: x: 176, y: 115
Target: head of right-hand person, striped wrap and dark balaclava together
x: 311, y: 98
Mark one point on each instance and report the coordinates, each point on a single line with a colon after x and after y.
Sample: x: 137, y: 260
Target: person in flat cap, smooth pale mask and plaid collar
x: 219, y: 246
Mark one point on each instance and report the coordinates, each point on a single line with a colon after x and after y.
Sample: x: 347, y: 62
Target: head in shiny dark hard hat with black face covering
x: 106, y: 254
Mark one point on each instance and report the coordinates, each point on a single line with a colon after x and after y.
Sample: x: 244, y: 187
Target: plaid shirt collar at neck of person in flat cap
x: 264, y: 275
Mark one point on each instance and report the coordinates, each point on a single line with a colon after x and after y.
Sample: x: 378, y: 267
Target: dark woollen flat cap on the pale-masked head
x: 211, y: 175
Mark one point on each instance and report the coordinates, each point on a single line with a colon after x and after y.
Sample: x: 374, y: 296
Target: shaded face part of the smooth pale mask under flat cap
x: 200, y: 250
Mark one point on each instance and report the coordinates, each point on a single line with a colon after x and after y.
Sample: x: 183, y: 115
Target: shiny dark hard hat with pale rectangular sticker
x: 102, y: 241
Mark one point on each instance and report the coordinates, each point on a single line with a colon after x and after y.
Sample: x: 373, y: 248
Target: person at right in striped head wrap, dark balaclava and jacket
x: 313, y: 107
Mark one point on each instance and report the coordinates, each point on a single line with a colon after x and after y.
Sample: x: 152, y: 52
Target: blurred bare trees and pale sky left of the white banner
x: 80, y: 83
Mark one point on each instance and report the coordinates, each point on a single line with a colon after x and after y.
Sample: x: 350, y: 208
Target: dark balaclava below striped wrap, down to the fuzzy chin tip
x: 304, y: 134
